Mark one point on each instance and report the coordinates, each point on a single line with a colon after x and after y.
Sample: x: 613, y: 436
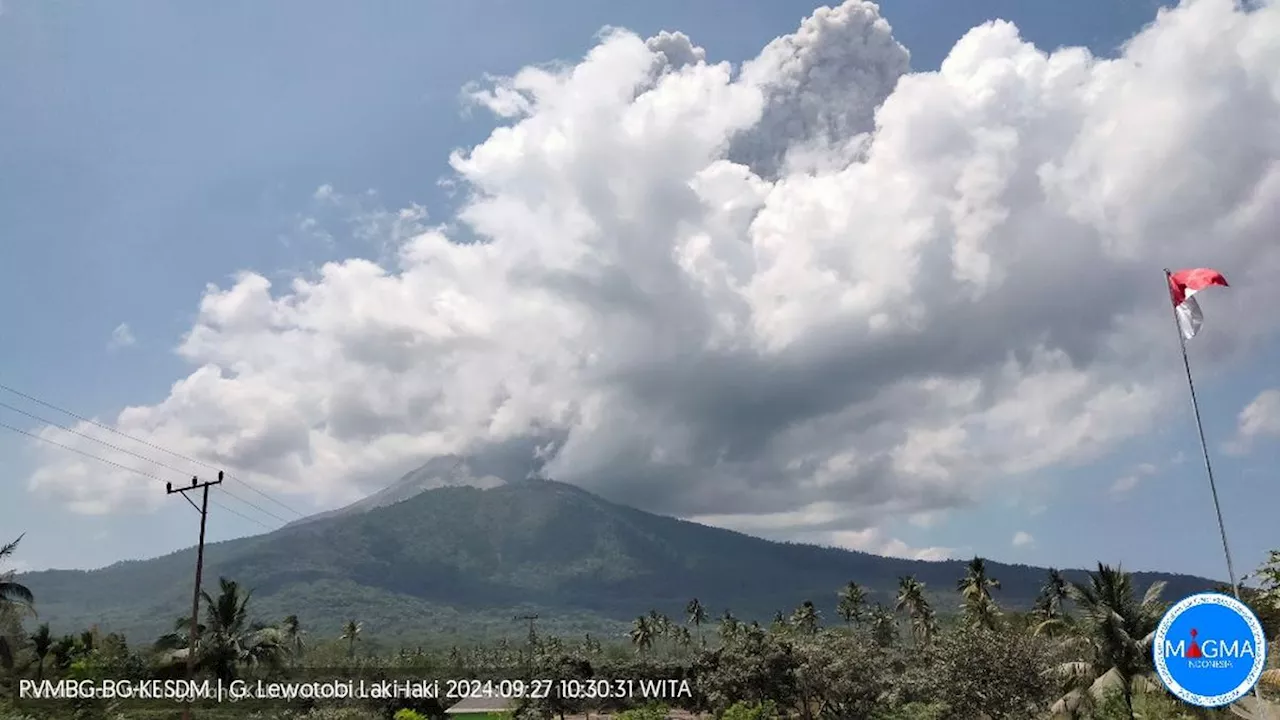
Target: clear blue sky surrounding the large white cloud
x: 152, y: 151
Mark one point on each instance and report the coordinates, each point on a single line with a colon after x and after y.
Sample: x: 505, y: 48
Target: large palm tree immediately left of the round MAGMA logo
x: 1118, y: 631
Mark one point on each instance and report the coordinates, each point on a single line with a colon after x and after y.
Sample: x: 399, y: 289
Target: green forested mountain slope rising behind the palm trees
x: 463, y: 562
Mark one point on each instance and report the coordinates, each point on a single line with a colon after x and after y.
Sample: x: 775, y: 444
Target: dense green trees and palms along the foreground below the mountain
x: 1082, y: 651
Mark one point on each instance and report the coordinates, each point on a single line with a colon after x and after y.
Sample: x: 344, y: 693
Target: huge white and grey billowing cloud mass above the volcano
x: 813, y: 295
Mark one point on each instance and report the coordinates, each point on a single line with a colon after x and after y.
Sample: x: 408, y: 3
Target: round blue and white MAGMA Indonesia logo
x: 1210, y: 650
